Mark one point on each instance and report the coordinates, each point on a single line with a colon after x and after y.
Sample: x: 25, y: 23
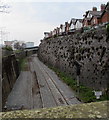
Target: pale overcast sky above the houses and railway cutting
x: 28, y: 19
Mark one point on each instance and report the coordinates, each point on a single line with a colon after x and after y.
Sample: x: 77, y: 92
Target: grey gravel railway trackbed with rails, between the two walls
x: 39, y: 87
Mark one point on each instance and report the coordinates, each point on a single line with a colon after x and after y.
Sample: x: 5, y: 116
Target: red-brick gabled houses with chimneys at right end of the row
x: 94, y: 17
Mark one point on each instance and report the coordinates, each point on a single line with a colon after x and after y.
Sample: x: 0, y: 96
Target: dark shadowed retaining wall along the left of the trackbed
x: 10, y: 72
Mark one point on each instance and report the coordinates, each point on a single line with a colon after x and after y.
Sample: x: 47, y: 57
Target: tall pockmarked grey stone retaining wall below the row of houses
x: 85, y: 53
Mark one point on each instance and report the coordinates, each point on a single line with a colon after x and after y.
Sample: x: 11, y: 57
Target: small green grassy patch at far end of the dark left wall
x: 23, y: 64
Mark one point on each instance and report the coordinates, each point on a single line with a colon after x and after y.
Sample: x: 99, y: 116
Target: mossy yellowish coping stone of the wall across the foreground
x: 85, y: 110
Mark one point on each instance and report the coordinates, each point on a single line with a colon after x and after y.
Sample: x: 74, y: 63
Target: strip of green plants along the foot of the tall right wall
x: 83, y: 93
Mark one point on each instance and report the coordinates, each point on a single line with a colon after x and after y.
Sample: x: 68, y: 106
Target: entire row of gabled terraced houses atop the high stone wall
x: 91, y: 18
